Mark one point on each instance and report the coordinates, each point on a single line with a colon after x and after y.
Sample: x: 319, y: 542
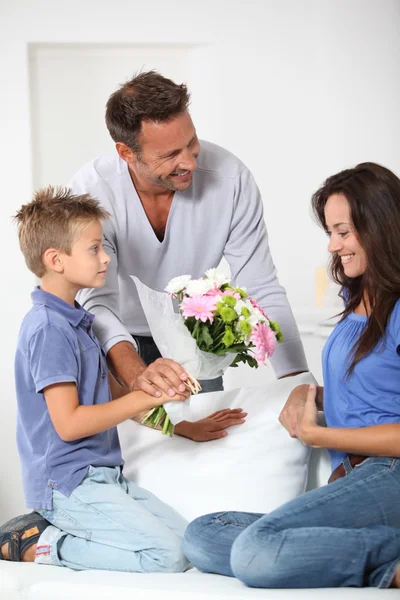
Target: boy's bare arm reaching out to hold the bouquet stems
x: 74, y: 421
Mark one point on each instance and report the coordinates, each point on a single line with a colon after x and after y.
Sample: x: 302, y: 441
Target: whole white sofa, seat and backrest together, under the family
x: 256, y: 467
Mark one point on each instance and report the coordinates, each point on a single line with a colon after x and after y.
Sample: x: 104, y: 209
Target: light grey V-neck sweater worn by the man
x: 219, y: 215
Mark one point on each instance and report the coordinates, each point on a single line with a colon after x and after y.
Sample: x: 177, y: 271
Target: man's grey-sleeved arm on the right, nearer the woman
x: 248, y: 254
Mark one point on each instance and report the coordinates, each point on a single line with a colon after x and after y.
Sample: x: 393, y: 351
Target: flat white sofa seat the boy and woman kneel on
x: 40, y: 582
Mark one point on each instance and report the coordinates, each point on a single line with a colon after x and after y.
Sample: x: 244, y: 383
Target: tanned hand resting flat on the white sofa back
x: 212, y: 427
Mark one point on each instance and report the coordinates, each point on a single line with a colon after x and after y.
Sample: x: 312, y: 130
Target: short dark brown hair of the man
x: 147, y: 97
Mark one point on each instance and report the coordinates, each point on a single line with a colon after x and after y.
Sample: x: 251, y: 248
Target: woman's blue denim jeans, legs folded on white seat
x: 343, y: 534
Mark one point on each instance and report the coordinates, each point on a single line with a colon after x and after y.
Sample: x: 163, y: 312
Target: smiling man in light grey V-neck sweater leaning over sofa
x: 177, y: 206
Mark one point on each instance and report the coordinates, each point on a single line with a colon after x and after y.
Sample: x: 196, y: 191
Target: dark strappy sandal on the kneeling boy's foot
x: 32, y: 525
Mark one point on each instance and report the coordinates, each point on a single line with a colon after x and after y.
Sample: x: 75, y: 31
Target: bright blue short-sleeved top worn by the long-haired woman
x: 371, y: 395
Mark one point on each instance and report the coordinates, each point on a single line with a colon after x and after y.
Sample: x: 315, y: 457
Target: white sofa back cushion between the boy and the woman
x: 255, y: 468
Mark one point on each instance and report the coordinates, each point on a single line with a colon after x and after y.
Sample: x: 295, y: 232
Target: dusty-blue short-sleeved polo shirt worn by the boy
x: 56, y: 344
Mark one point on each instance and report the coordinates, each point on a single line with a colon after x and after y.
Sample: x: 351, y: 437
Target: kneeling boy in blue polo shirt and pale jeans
x: 88, y: 516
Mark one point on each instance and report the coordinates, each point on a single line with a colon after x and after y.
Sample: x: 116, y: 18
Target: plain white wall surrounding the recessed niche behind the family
x: 297, y: 88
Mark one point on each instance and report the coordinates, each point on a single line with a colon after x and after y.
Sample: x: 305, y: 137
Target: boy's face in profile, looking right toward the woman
x: 86, y: 266
